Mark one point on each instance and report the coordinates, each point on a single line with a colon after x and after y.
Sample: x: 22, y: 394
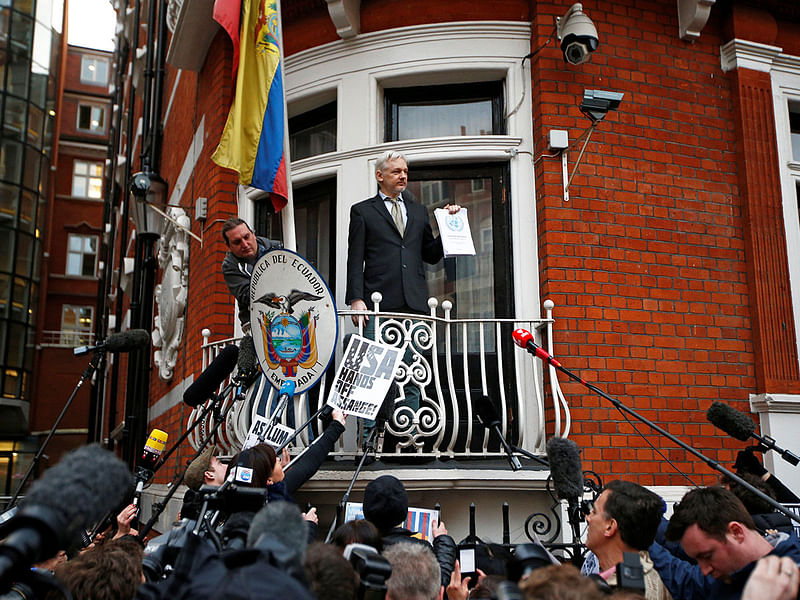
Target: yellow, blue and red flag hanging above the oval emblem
x: 252, y: 142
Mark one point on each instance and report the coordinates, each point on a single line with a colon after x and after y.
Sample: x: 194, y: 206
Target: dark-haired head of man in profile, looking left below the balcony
x: 624, y: 512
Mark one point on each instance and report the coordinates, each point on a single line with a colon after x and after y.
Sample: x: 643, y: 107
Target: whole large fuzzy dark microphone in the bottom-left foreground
x: 71, y: 496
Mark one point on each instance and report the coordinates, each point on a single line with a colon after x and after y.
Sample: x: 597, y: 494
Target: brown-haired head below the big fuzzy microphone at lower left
x: 112, y: 571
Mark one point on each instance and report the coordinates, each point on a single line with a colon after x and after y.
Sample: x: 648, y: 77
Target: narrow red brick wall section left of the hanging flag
x: 205, y: 95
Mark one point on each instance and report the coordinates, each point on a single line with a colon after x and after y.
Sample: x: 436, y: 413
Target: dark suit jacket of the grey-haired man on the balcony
x: 379, y: 259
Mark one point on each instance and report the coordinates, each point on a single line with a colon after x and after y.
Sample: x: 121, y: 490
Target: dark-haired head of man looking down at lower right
x: 715, y: 529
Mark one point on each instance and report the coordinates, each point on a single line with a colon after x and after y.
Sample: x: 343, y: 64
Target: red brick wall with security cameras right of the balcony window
x: 646, y: 262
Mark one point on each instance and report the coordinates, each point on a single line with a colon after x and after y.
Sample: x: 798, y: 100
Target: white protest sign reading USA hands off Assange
x: 363, y: 377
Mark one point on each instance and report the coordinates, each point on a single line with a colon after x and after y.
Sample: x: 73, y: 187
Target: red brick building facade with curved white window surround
x: 673, y: 264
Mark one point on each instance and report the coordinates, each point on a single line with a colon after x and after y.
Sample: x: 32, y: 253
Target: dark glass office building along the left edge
x: 31, y: 46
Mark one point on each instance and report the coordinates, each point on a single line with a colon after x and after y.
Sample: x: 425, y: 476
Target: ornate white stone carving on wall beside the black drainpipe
x: 171, y: 293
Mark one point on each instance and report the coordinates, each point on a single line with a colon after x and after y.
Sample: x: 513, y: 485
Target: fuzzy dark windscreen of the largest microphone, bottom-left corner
x: 82, y: 487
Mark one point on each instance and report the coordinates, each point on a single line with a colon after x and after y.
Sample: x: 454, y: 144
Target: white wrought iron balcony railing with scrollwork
x: 452, y: 362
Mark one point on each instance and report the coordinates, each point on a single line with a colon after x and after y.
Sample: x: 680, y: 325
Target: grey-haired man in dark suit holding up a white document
x: 390, y: 238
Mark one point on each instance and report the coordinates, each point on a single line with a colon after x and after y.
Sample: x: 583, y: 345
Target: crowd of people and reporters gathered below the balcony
x: 712, y: 546
